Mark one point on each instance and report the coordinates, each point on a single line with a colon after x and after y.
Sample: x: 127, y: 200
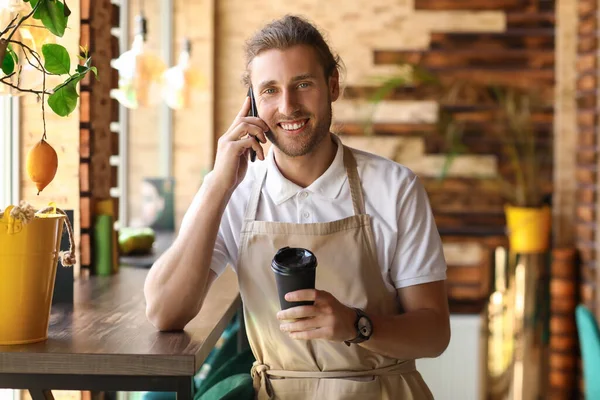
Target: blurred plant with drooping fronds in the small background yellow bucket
x: 512, y: 125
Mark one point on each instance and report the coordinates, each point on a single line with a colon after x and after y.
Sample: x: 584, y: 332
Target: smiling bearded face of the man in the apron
x: 293, y: 97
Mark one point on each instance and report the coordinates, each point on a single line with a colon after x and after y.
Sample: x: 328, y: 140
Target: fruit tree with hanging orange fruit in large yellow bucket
x: 30, y: 239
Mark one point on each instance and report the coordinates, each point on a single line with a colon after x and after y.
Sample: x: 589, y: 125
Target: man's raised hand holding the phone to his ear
x: 231, y: 161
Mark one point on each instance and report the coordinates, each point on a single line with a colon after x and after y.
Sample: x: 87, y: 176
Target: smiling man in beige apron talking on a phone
x: 380, y: 301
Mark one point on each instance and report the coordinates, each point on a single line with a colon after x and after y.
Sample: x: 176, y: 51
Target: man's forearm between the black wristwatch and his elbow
x: 416, y: 334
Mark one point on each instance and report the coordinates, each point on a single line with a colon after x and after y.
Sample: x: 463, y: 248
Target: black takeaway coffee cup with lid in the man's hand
x: 294, y: 269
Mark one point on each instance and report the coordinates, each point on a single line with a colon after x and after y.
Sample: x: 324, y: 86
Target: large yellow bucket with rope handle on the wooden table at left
x: 29, y: 254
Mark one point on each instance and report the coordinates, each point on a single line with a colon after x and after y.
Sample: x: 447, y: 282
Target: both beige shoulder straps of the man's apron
x: 358, y: 201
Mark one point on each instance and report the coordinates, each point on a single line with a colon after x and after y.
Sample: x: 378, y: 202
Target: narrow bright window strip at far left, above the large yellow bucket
x: 9, y: 151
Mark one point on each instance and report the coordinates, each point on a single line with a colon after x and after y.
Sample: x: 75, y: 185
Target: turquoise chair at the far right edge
x: 589, y: 341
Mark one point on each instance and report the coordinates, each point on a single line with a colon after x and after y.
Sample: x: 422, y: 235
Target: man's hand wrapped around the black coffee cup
x: 326, y: 319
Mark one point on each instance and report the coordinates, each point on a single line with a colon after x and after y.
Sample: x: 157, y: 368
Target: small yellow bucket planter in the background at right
x: 528, y: 229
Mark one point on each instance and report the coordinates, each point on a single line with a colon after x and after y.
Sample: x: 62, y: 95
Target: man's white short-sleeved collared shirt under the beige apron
x: 409, y: 248
